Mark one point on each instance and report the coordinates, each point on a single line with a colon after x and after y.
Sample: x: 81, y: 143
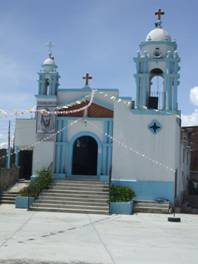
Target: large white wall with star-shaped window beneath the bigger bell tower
x: 132, y: 130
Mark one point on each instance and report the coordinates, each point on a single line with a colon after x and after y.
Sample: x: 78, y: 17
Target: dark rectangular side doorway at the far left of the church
x: 25, y: 164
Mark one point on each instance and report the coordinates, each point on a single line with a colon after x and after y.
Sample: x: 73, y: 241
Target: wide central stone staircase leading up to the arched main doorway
x: 78, y: 196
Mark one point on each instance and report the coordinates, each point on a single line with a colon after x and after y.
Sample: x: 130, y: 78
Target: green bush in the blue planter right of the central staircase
x: 121, y: 194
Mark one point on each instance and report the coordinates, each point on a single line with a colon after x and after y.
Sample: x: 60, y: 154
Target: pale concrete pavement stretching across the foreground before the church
x: 38, y: 237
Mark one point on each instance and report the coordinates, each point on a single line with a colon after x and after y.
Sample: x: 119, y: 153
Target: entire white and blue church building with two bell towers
x: 96, y: 133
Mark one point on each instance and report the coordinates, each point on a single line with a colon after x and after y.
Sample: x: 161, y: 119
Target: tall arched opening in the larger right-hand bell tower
x: 156, y: 94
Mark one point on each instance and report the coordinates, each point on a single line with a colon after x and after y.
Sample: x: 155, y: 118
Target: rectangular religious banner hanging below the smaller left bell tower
x: 45, y: 120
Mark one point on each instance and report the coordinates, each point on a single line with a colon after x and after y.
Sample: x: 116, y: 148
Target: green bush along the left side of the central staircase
x: 35, y: 187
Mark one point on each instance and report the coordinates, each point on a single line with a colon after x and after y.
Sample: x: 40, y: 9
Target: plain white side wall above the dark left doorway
x: 25, y: 132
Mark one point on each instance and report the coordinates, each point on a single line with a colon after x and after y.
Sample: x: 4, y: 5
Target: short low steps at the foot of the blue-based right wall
x: 151, y: 207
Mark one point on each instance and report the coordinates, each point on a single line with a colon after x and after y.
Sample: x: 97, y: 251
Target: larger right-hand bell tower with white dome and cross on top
x: 157, y: 70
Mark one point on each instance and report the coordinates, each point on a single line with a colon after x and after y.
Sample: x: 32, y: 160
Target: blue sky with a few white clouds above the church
x: 96, y: 36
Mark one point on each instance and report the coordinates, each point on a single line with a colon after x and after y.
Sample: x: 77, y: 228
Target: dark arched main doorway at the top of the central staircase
x: 85, y: 154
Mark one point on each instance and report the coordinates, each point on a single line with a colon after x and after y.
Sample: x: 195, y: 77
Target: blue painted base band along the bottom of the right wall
x: 149, y: 190
